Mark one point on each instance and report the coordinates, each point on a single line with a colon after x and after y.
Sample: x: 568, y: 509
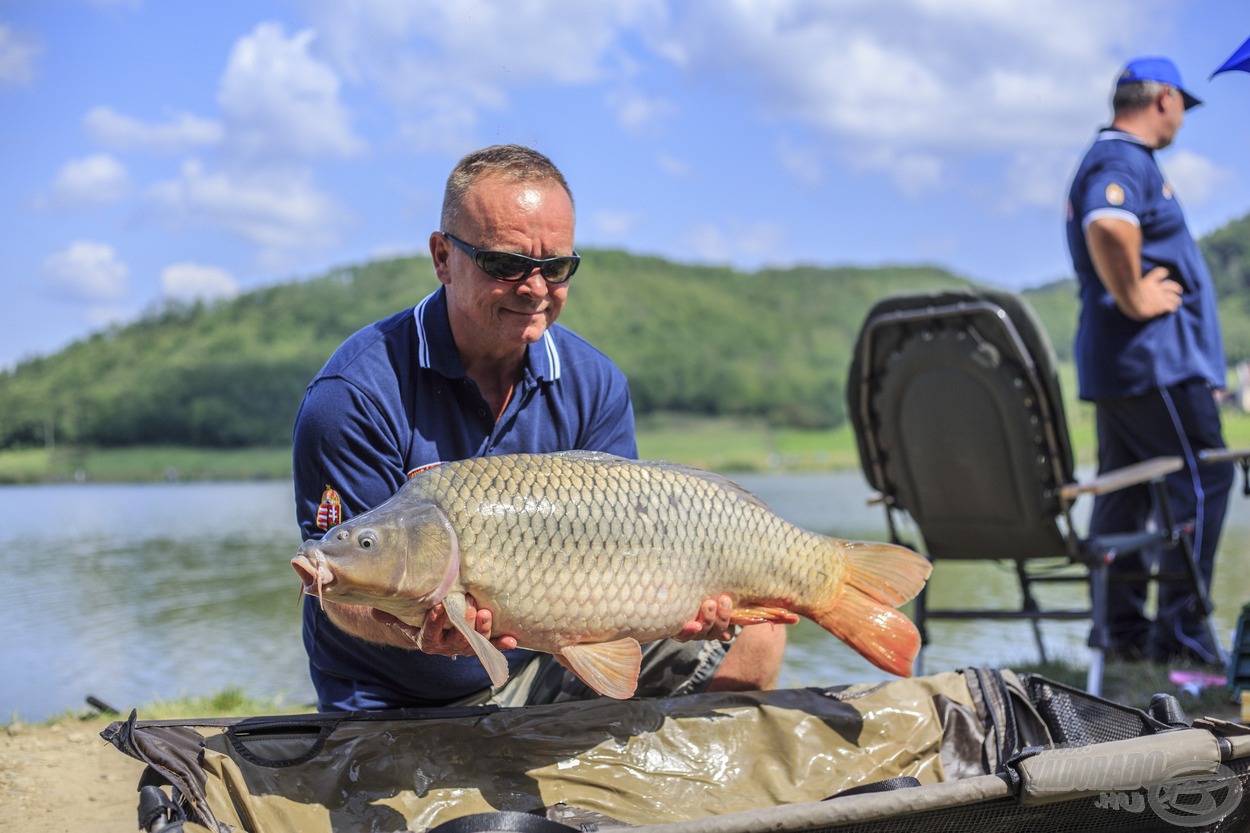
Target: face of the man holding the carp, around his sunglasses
x: 496, y: 318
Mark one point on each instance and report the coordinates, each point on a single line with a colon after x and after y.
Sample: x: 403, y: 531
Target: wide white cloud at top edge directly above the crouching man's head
x: 447, y: 63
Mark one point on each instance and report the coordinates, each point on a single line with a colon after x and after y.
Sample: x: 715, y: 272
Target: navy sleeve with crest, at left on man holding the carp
x: 343, y: 450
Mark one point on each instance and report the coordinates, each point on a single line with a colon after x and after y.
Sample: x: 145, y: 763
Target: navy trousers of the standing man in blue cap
x: 1172, y: 422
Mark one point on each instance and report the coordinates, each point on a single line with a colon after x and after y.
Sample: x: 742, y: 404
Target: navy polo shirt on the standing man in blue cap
x: 1116, y: 356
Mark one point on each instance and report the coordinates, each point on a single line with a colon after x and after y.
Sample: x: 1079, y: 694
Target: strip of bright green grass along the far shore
x: 716, y: 445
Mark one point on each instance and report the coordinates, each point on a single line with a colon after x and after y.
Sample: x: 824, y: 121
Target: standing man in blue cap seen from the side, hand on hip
x: 1149, y: 352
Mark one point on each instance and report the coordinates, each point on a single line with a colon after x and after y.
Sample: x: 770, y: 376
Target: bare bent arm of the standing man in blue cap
x: 1116, y: 250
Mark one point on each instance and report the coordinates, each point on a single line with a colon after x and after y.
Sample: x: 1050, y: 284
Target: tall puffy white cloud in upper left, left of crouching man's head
x: 281, y: 102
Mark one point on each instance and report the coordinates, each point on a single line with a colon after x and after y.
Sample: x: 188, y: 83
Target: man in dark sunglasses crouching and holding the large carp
x: 478, y: 368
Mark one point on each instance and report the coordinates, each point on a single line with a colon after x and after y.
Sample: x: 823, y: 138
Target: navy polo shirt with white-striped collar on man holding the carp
x: 393, y: 398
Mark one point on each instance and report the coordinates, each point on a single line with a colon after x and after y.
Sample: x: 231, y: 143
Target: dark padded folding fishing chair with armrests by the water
x: 961, y: 425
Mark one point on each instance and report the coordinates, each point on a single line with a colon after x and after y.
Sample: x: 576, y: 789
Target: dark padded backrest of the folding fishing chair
x: 961, y: 423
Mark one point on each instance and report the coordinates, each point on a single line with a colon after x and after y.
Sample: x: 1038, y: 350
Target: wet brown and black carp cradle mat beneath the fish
x: 976, y: 750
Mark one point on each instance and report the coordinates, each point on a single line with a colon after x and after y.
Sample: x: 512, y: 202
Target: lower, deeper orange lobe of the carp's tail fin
x: 876, y: 631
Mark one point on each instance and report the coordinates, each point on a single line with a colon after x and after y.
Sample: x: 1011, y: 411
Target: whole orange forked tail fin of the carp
x: 879, y: 578
